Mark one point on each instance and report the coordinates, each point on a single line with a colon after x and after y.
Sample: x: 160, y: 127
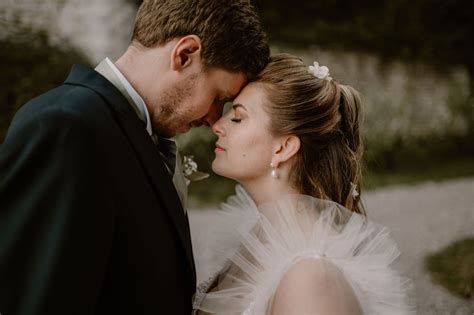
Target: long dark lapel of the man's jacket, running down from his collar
x: 144, y: 148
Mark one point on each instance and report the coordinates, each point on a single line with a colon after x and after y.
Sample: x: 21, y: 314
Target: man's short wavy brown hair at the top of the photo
x: 230, y: 31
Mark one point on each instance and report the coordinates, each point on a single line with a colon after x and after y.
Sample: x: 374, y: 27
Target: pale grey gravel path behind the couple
x: 423, y: 219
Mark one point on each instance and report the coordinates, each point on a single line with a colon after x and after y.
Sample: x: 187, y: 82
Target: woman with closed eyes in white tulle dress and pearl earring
x: 295, y: 239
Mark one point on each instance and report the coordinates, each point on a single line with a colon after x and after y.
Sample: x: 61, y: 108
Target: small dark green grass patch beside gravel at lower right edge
x: 453, y: 267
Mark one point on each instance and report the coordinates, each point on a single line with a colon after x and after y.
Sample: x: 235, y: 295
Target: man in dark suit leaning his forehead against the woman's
x: 90, y: 219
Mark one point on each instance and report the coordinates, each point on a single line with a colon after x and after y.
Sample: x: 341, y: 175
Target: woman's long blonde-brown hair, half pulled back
x: 325, y: 115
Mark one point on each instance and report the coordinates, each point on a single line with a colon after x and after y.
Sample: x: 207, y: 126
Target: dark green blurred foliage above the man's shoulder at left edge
x: 30, y: 65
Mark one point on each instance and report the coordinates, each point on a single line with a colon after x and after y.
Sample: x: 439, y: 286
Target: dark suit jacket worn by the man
x: 90, y: 221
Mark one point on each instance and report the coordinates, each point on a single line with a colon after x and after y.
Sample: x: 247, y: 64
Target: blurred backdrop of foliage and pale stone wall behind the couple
x: 411, y: 60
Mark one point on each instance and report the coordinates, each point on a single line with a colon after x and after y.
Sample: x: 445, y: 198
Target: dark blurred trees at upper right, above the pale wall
x: 435, y: 32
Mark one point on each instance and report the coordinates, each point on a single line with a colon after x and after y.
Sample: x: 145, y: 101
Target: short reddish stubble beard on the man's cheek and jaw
x: 168, y: 118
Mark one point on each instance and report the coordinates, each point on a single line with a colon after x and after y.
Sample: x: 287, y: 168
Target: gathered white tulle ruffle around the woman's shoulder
x: 255, y: 247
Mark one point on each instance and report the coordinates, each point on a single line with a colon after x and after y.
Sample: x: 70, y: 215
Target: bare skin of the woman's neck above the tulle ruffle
x: 268, y: 189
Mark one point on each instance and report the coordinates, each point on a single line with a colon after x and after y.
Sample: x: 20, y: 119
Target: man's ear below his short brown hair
x: 186, y: 52
